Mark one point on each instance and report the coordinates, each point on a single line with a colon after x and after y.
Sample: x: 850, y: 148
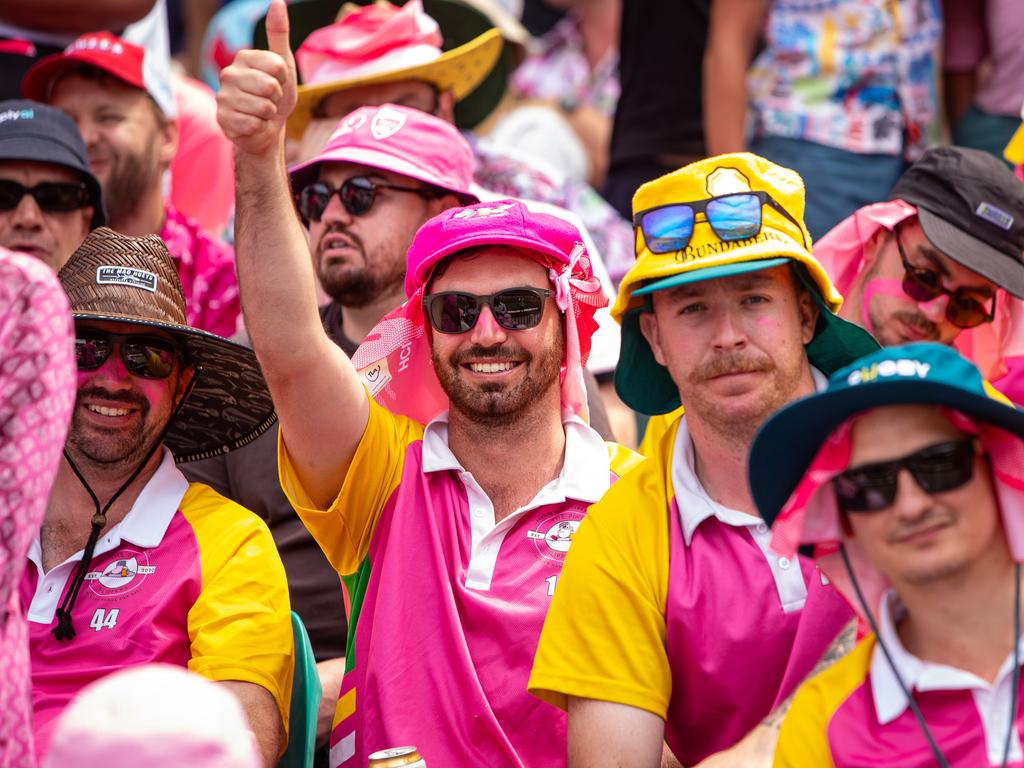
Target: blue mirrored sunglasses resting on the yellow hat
x: 668, y: 229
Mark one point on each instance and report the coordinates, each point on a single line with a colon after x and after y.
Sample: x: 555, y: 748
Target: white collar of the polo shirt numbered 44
x: 149, y: 518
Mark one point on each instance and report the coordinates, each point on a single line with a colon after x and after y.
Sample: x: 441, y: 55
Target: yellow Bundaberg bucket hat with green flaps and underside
x: 641, y: 380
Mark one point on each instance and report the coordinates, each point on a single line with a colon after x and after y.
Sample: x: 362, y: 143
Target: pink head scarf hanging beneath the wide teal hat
x: 812, y: 516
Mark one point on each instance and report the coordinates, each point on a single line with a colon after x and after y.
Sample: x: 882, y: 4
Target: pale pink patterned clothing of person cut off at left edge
x: 37, y: 392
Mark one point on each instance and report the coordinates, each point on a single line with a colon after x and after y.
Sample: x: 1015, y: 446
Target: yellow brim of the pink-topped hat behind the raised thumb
x: 458, y: 71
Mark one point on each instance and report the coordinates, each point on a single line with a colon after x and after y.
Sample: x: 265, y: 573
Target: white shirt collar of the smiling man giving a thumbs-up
x: 586, y: 470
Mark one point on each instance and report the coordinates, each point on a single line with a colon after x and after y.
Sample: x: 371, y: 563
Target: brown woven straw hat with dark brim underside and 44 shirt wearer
x: 120, y: 279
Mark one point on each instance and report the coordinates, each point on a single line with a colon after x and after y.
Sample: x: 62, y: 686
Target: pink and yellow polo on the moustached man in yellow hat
x: 674, y: 605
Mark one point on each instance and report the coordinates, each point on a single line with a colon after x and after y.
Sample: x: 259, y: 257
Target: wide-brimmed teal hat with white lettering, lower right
x: 914, y: 374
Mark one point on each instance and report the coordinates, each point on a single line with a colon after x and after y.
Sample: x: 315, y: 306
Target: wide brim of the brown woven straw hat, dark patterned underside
x: 230, y: 405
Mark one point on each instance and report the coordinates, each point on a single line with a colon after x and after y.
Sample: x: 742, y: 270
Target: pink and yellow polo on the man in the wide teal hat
x: 856, y: 714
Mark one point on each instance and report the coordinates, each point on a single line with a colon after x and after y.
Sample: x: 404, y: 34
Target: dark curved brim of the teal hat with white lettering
x: 788, y: 443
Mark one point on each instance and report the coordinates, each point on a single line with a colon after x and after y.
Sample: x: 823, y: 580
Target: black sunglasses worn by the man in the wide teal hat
x: 936, y: 468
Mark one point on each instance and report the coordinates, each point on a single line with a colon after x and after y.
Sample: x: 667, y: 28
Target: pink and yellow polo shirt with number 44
x: 188, y: 578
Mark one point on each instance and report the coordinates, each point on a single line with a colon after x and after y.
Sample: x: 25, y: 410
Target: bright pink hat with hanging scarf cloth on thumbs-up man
x: 395, y: 360
